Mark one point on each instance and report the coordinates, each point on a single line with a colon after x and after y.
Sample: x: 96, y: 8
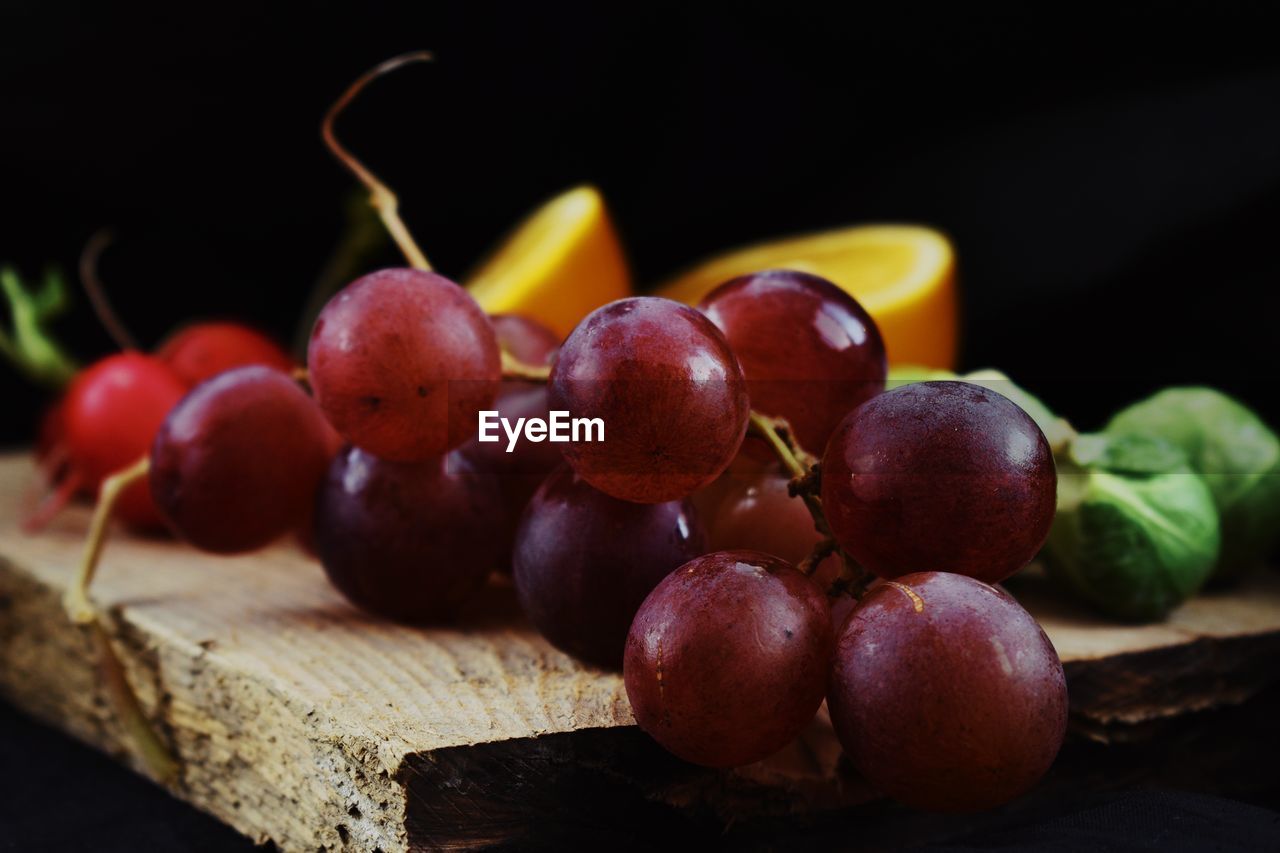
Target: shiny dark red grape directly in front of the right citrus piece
x: 810, y: 352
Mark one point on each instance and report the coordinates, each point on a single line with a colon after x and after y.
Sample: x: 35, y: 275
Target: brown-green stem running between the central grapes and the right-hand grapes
x: 806, y: 482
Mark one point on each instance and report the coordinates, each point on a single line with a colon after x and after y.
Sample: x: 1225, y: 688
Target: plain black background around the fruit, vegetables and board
x: 1112, y: 179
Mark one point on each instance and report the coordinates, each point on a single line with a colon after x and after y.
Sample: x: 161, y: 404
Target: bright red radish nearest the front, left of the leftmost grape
x: 111, y: 416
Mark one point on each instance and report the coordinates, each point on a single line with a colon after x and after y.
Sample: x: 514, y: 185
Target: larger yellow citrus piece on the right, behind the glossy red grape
x: 904, y: 276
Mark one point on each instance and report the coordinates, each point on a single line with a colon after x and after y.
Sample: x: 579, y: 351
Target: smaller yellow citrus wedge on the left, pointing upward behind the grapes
x: 557, y: 266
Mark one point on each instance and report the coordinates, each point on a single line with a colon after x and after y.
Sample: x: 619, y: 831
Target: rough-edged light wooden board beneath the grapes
x: 301, y: 722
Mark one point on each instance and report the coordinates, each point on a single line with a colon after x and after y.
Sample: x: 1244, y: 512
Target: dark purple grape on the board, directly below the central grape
x: 584, y: 563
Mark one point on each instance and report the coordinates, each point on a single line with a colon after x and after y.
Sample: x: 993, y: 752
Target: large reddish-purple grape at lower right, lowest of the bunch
x: 947, y: 695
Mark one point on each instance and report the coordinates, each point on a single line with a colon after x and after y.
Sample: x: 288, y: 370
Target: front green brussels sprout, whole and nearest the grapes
x: 1136, y: 532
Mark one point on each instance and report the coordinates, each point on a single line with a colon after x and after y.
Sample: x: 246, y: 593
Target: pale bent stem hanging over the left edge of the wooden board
x: 81, y: 609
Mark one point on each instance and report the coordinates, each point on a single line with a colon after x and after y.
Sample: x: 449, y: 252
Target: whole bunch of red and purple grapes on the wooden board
x: 943, y: 690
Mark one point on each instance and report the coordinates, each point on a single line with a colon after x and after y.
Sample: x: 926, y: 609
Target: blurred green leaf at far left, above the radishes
x: 30, y: 346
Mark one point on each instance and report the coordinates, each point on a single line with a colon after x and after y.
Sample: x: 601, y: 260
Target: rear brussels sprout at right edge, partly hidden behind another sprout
x: 1236, y: 453
